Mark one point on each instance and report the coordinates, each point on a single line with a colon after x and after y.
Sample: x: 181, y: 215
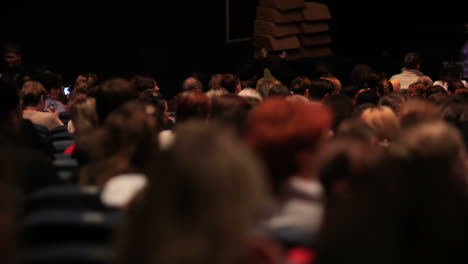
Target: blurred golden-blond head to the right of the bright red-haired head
x: 383, y: 120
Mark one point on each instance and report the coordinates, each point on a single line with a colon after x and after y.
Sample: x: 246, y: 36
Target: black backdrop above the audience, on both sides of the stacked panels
x: 169, y: 40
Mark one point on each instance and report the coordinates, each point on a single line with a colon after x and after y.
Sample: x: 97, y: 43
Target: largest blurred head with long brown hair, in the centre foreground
x: 195, y: 210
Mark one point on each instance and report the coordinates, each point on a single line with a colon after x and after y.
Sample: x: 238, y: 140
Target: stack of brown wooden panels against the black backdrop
x: 297, y: 27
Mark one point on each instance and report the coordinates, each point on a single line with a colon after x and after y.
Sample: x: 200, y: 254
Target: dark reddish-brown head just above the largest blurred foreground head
x: 192, y: 105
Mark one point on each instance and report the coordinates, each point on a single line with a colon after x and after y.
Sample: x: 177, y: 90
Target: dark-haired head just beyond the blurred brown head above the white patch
x: 110, y: 95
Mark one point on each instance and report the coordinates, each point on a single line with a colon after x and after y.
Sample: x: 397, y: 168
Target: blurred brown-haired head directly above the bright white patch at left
x: 123, y: 144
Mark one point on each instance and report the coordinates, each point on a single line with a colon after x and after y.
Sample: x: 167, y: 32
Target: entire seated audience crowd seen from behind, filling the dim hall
x: 254, y: 166
